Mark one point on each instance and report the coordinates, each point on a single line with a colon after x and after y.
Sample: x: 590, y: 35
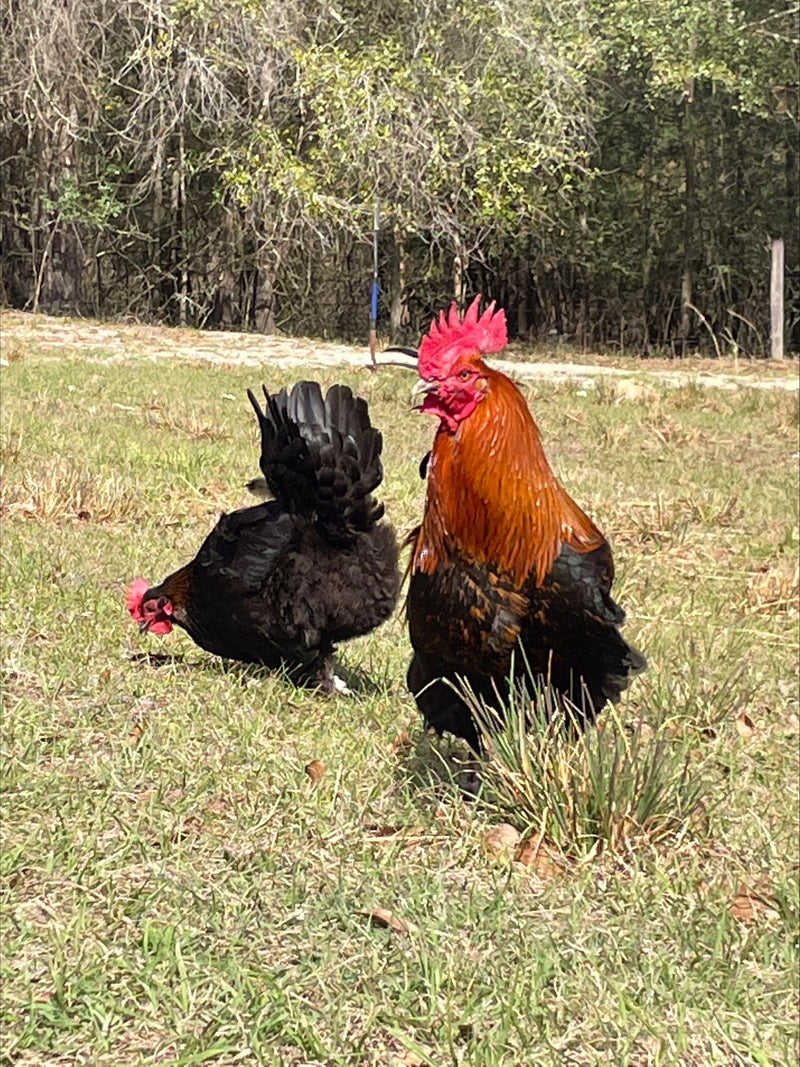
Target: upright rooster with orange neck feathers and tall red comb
x: 508, y: 575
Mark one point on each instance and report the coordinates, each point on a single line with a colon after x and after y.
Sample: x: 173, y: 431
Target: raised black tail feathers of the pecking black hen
x: 322, y: 457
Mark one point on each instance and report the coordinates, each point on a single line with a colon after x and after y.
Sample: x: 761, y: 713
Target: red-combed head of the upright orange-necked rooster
x: 451, y: 361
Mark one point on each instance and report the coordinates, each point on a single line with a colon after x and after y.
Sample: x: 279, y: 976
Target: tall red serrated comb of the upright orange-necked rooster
x: 452, y: 337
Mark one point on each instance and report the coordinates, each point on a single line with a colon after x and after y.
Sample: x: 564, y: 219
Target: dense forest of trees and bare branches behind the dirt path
x: 612, y: 172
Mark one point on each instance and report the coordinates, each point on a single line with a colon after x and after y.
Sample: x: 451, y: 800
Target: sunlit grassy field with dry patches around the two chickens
x: 178, y: 889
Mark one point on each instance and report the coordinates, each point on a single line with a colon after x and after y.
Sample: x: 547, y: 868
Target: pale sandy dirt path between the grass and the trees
x: 29, y: 337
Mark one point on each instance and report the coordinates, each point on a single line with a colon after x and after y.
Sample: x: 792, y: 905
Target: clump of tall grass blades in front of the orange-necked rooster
x: 606, y: 789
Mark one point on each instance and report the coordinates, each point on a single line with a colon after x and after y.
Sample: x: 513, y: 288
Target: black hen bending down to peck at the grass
x: 282, y: 582
